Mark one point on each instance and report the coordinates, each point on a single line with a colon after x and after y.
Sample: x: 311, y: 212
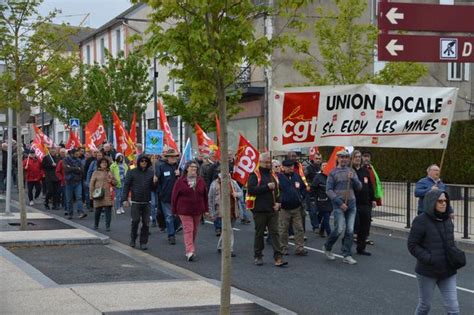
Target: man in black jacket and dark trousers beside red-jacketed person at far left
x: 52, y: 182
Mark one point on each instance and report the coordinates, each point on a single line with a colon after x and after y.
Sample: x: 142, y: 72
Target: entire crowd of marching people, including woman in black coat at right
x: 278, y: 194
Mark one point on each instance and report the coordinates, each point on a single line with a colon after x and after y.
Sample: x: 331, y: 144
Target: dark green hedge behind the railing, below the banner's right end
x: 411, y: 164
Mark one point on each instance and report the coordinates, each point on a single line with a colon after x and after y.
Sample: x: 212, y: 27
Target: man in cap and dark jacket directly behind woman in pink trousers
x: 167, y: 173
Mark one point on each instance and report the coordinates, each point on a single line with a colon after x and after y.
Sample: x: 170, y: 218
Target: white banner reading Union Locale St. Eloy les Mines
x: 365, y: 115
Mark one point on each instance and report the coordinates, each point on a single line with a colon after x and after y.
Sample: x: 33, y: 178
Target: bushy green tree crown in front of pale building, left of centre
x: 120, y: 84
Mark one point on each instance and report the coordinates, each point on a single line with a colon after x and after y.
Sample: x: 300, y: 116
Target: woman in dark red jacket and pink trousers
x: 189, y: 201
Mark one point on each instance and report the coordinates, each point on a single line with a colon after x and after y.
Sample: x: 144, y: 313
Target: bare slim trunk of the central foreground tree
x: 225, y: 202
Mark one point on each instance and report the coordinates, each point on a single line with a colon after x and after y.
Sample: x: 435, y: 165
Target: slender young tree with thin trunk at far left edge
x: 33, y: 57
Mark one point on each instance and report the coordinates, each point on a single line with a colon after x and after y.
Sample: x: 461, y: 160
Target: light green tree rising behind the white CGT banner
x: 346, y: 47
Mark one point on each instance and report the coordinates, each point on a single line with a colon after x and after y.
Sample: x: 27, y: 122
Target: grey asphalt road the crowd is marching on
x: 380, y: 284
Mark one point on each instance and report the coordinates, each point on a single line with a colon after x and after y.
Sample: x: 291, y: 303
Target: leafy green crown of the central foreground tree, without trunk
x: 208, y: 42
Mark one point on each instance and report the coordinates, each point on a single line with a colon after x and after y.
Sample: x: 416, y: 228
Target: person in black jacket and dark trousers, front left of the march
x: 140, y: 182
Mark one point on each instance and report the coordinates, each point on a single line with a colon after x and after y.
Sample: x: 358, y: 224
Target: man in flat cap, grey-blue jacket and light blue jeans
x: 340, y: 186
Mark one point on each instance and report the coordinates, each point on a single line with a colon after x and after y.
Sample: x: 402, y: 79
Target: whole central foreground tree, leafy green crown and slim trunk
x: 207, y: 42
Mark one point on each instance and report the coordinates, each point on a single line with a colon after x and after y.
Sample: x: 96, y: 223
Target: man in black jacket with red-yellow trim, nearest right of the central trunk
x: 263, y: 198
